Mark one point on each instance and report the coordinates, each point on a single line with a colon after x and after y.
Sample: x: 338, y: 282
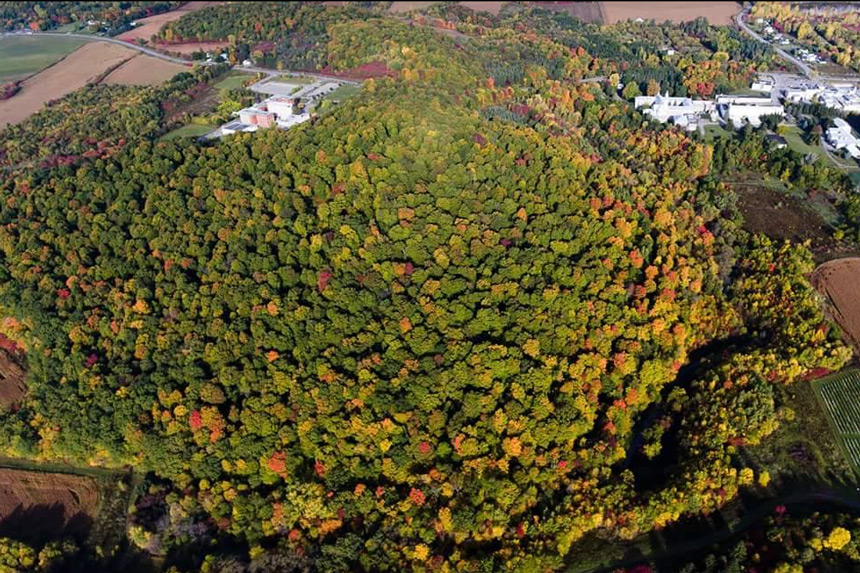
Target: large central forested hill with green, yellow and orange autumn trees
x: 428, y: 330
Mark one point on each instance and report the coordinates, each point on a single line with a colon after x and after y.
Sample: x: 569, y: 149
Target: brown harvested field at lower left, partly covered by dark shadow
x: 38, y: 506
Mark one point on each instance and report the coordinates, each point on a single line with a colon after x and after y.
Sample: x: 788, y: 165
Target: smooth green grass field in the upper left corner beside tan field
x: 23, y: 56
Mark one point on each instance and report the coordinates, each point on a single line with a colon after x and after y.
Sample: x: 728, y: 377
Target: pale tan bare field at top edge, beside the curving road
x: 716, y: 12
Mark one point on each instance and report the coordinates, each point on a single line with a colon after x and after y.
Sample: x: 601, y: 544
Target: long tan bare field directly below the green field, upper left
x: 72, y: 72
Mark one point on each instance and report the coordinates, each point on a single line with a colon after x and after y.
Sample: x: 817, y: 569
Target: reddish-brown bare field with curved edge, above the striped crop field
x: 837, y: 281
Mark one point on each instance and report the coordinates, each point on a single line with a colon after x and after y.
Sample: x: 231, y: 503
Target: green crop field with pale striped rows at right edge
x: 840, y: 397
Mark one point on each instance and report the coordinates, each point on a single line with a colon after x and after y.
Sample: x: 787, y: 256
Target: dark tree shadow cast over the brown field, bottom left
x: 41, y: 523
